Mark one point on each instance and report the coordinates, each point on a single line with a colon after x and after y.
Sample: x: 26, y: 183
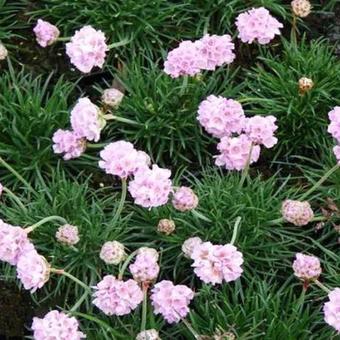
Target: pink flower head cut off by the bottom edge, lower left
x: 56, y: 325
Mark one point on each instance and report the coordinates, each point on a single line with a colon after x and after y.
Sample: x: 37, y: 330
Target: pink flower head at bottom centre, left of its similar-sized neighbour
x: 117, y: 297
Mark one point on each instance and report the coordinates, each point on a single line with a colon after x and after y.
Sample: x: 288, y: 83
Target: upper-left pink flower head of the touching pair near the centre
x: 122, y: 159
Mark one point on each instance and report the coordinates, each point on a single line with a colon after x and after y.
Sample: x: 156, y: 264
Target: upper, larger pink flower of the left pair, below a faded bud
x: 86, y: 120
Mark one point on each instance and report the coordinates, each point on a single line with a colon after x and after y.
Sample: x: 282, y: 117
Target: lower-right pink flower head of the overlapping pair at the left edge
x: 32, y: 270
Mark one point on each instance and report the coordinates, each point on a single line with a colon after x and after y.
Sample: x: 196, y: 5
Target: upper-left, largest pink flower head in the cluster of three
x: 221, y: 116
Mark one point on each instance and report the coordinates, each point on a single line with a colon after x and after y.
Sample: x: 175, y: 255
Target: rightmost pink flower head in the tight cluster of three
x: 260, y: 130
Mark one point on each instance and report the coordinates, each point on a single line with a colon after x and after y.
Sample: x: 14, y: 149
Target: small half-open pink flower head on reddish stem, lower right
x: 306, y: 267
